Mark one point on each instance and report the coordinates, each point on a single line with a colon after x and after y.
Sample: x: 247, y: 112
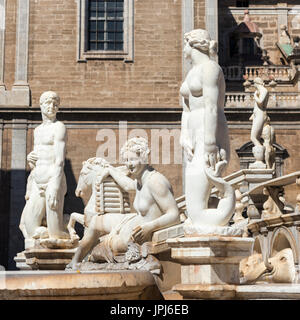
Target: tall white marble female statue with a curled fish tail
x: 204, y: 133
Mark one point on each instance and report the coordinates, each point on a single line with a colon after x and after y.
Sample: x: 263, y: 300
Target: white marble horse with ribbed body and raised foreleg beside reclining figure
x: 103, y: 196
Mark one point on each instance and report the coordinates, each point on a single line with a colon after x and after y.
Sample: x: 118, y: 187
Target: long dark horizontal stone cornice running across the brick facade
x: 237, y: 116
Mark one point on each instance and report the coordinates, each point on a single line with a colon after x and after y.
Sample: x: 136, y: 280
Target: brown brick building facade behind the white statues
x: 117, y: 67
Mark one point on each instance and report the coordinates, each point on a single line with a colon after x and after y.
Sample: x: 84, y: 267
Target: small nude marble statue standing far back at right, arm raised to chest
x: 259, y: 116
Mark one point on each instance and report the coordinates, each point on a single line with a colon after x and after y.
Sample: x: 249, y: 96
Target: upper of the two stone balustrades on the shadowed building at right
x: 277, y: 73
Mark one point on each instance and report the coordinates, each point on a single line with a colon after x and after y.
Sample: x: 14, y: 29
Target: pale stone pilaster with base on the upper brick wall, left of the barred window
x: 21, y: 87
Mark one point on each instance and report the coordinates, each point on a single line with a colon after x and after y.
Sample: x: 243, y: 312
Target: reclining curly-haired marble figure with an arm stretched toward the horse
x: 154, y: 203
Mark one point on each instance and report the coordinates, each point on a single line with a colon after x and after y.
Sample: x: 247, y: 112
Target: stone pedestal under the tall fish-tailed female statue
x: 209, y: 265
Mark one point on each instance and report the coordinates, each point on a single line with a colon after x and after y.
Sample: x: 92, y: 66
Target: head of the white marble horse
x: 90, y: 170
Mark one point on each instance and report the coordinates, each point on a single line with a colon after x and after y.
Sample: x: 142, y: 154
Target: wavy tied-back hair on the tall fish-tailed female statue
x: 200, y: 39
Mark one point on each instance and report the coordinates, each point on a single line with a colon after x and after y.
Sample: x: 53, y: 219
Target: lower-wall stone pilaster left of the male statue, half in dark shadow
x: 18, y: 188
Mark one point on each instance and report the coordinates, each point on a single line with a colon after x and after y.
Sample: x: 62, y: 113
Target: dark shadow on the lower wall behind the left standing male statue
x: 12, y: 202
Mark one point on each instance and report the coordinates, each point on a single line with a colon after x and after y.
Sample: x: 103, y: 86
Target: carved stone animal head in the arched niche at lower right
x: 280, y: 269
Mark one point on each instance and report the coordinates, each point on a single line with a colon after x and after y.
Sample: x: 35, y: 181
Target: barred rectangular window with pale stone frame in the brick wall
x: 105, y: 30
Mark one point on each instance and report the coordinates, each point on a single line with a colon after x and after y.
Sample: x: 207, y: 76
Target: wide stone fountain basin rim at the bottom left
x: 72, y: 285
